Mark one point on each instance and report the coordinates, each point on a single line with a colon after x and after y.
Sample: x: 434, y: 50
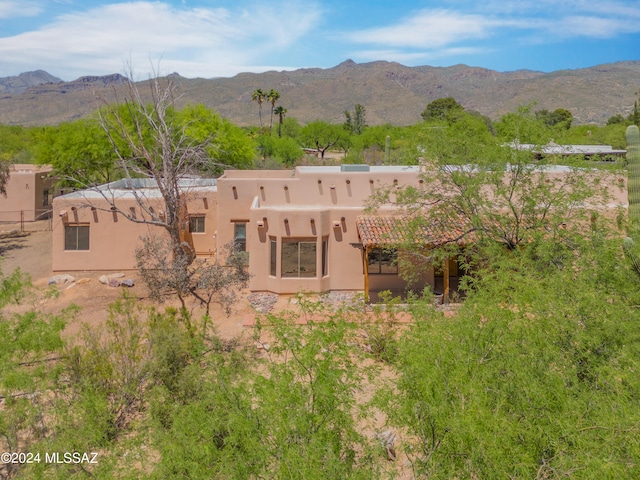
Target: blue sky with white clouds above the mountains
x: 197, y: 38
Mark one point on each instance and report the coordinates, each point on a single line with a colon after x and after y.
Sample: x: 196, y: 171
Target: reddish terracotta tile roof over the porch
x: 392, y: 230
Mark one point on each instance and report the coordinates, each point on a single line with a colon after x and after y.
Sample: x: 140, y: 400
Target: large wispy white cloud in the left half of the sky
x: 192, y: 41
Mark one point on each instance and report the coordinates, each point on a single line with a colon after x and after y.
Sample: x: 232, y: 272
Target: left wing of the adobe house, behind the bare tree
x: 89, y: 235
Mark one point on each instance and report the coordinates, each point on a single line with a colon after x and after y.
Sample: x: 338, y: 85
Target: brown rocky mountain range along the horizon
x: 390, y: 92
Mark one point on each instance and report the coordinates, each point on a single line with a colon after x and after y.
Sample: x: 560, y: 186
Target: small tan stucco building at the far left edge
x: 29, y: 193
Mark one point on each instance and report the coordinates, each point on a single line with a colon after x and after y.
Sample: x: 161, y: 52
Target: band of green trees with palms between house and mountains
x: 81, y: 145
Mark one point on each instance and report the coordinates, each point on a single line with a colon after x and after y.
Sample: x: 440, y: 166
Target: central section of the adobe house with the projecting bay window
x: 302, y: 227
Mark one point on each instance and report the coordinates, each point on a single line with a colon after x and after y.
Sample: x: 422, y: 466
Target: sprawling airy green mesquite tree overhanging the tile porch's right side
x: 475, y: 196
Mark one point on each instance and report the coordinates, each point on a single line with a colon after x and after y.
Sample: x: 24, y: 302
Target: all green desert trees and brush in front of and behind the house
x: 533, y: 375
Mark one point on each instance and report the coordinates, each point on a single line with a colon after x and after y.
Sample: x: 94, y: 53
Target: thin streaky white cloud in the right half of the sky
x: 540, y: 21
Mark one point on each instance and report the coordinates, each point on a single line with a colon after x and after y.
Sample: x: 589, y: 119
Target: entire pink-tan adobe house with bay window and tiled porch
x: 304, y: 229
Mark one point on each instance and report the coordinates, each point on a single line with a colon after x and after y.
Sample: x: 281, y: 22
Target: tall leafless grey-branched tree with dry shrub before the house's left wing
x: 153, y: 141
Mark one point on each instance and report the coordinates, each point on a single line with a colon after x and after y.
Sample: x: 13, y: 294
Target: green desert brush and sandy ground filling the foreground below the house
x: 534, y: 376
